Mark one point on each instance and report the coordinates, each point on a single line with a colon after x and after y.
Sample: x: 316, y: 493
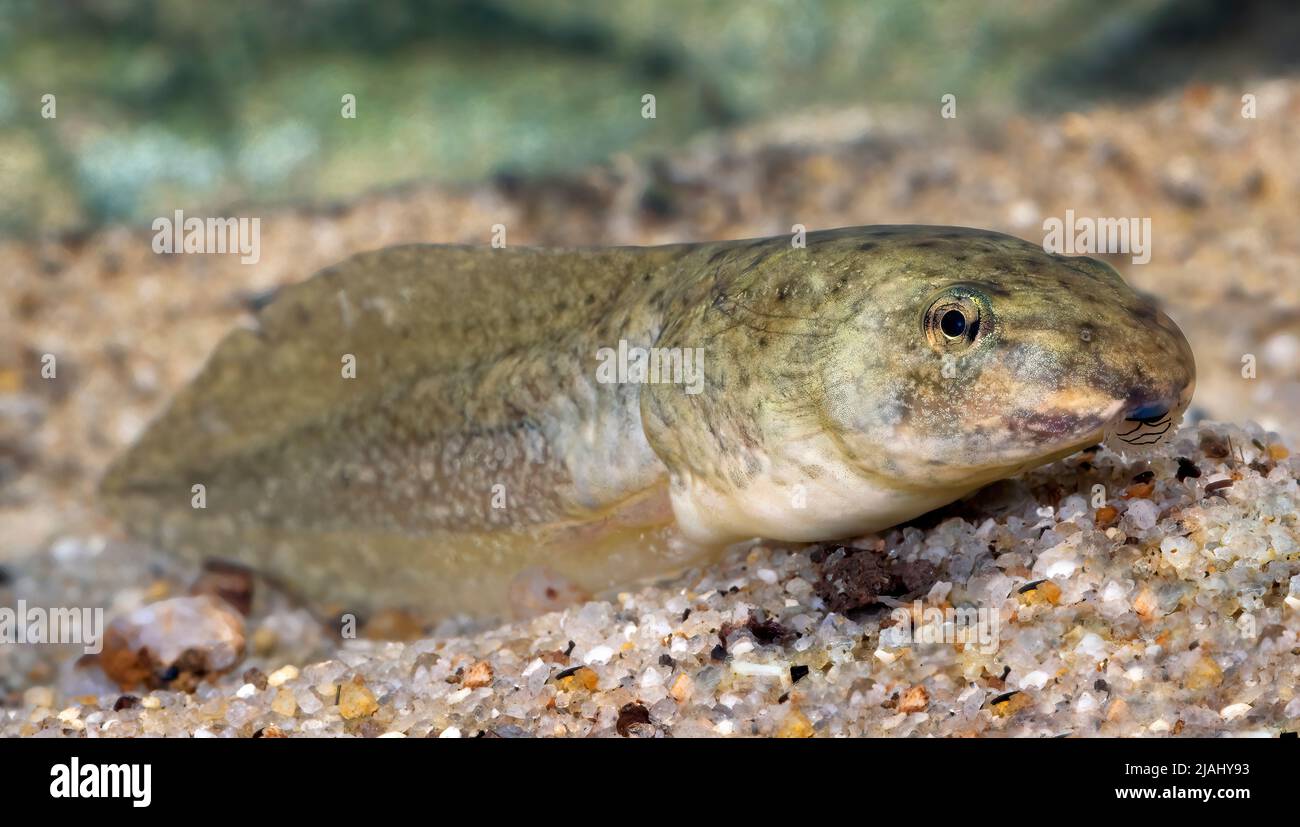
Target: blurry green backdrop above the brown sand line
x: 175, y: 103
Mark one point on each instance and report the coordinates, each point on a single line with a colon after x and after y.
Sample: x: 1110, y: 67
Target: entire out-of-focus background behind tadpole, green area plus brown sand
x: 530, y: 114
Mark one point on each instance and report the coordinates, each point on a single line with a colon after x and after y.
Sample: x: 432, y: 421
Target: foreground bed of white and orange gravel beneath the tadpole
x: 1172, y: 609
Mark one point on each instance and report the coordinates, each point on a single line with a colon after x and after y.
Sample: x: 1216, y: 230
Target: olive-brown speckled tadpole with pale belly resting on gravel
x: 833, y: 405
